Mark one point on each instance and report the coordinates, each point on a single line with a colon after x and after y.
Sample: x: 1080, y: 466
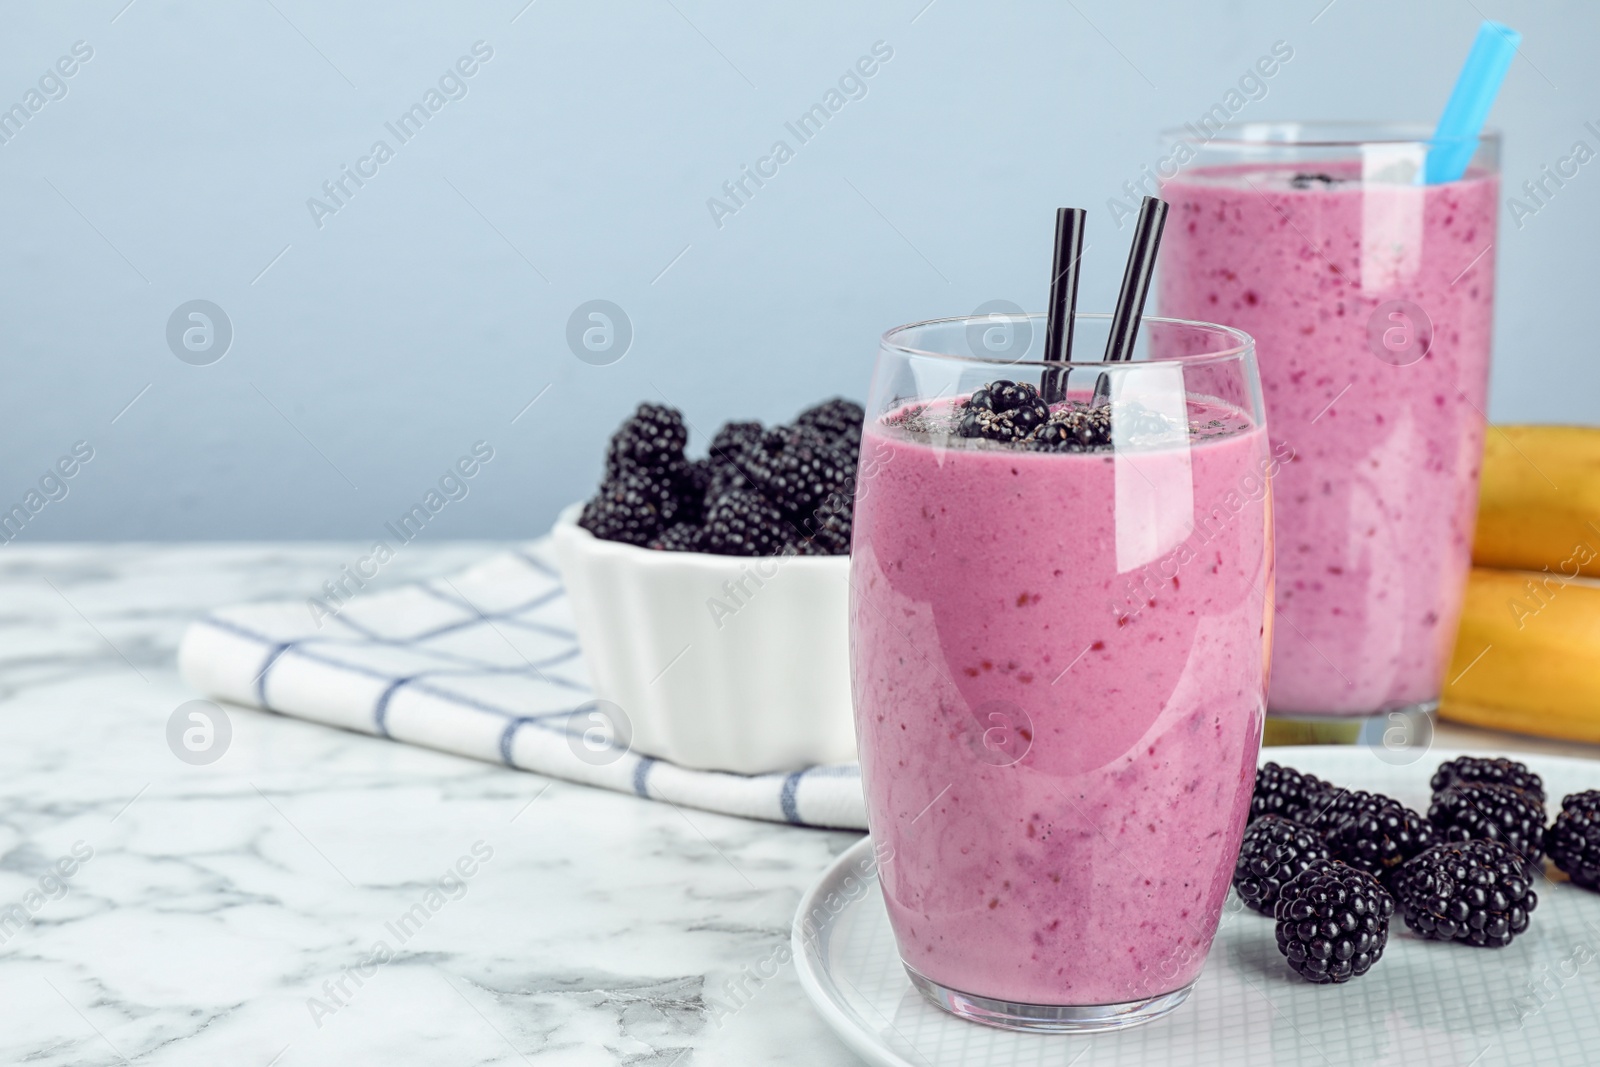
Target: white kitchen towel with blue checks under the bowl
x: 484, y: 665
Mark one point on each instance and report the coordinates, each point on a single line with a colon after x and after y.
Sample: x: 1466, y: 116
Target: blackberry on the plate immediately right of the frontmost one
x: 1474, y: 892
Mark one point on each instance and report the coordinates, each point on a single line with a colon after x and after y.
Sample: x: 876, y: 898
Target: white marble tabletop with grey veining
x: 222, y: 900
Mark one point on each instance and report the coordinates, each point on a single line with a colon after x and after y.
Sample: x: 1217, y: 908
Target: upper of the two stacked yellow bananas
x: 1540, y: 500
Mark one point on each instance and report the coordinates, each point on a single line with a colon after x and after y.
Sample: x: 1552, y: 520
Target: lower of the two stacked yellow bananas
x: 1527, y: 653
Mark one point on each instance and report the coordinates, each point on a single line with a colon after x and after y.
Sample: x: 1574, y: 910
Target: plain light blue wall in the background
x: 417, y: 322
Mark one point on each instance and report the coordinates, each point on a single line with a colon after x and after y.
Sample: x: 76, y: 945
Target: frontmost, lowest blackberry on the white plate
x: 1334, y: 922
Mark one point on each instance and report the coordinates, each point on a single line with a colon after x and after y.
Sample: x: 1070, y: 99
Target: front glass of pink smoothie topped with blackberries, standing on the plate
x: 1058, y: 655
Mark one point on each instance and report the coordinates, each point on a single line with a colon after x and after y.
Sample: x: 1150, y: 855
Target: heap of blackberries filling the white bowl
x: 786, y: 490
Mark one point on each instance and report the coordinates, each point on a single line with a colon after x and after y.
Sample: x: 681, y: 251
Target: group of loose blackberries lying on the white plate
x: 1332, y: 865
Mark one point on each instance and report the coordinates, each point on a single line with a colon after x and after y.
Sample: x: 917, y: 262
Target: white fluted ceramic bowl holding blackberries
x: 719, y: 663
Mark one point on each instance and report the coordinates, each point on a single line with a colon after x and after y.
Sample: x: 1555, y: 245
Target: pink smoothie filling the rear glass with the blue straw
x: 1375, y: 511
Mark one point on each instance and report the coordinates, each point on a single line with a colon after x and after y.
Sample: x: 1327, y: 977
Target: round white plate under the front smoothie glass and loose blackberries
x: 1535, y: 1002
